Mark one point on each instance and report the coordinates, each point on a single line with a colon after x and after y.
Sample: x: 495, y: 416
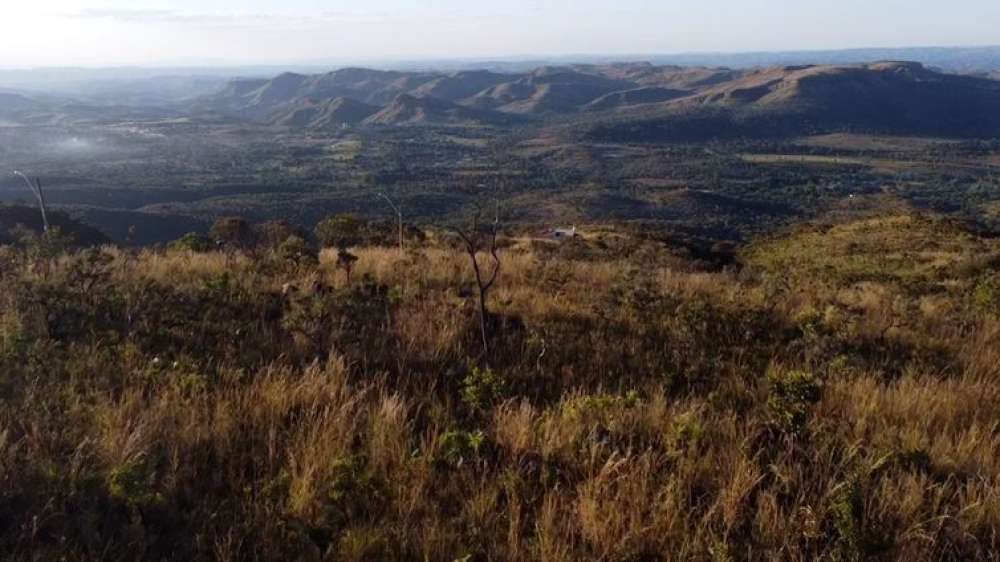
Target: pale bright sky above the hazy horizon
x: 229, y: 32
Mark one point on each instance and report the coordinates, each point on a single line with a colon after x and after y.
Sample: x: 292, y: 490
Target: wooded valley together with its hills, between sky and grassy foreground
x: 708, y: 152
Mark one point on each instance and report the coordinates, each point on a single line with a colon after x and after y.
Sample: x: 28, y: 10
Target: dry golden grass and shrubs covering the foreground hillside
x: 833, y: 392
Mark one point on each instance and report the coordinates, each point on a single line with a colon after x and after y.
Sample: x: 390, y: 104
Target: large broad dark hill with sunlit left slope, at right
x: 893, y: 97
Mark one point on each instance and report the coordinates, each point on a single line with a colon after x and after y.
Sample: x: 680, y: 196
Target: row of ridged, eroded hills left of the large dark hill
x: 366, y: 96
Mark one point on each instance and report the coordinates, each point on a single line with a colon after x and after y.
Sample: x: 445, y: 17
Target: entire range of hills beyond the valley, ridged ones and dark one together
x: 638, y: 100
